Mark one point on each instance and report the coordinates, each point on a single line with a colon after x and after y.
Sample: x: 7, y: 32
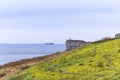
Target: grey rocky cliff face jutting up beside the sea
x: 72, y: 44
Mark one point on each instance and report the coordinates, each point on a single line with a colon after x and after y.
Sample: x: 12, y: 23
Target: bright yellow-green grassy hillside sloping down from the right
x: 92, y: 62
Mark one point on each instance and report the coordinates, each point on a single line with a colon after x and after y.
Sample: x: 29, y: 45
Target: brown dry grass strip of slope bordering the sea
x: 13, y: 68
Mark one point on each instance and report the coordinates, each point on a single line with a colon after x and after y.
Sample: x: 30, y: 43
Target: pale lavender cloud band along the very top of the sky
x: 36, y: 6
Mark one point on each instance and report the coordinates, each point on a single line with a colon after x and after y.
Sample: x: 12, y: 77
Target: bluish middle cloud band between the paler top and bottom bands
x: 62, y: 20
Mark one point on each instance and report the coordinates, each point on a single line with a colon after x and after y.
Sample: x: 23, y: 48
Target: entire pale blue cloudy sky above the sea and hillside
x: 41, y: 21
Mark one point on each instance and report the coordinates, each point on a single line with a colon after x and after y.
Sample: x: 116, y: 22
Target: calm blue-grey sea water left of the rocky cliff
x: 14, y: 52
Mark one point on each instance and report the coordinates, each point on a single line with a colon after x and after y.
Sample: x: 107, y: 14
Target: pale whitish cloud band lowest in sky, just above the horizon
x: 54, y: 35
